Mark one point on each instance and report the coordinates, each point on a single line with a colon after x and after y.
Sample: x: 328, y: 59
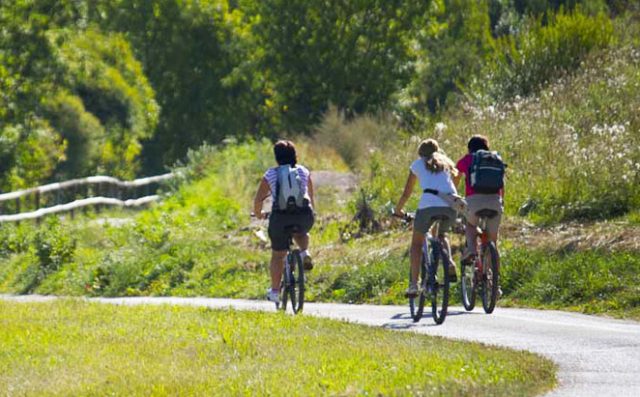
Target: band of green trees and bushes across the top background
x: 127, y: 87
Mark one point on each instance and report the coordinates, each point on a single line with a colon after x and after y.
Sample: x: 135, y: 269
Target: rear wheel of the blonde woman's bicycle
x: 439, y: 281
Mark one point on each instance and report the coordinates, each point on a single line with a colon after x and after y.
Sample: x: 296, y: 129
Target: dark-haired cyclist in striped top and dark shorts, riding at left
x: 281, y: 222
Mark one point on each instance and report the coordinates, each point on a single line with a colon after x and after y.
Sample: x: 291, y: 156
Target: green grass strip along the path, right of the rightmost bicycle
x: 596, y: 282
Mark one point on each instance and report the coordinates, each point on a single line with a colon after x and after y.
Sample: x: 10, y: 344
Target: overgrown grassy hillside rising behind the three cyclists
x: 570, y: 133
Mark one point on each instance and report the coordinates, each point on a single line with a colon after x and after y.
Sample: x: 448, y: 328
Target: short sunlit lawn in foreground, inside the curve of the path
x: 72, y: 347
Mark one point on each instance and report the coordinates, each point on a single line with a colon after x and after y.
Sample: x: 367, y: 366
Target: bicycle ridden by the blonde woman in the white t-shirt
x: 433, y: 277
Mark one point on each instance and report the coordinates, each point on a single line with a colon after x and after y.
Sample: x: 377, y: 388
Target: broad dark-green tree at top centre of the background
x: 352, y: 54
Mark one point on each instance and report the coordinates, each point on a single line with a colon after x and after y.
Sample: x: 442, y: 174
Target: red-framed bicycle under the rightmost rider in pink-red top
x: 481, y: 271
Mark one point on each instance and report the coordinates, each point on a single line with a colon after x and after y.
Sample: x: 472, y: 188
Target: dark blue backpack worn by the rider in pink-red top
x: 486, y: 174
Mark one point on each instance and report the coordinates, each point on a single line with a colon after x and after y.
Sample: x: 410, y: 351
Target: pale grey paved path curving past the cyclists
x: 596, y: 356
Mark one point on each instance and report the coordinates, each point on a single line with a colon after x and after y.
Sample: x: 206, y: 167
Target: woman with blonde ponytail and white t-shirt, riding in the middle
x: 434, y: 172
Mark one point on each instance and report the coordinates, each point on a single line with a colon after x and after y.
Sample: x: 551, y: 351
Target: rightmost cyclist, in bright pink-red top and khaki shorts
x: 477, y: 201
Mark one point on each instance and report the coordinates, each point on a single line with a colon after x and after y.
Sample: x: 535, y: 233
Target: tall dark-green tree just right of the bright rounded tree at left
x: 190, y: 51
